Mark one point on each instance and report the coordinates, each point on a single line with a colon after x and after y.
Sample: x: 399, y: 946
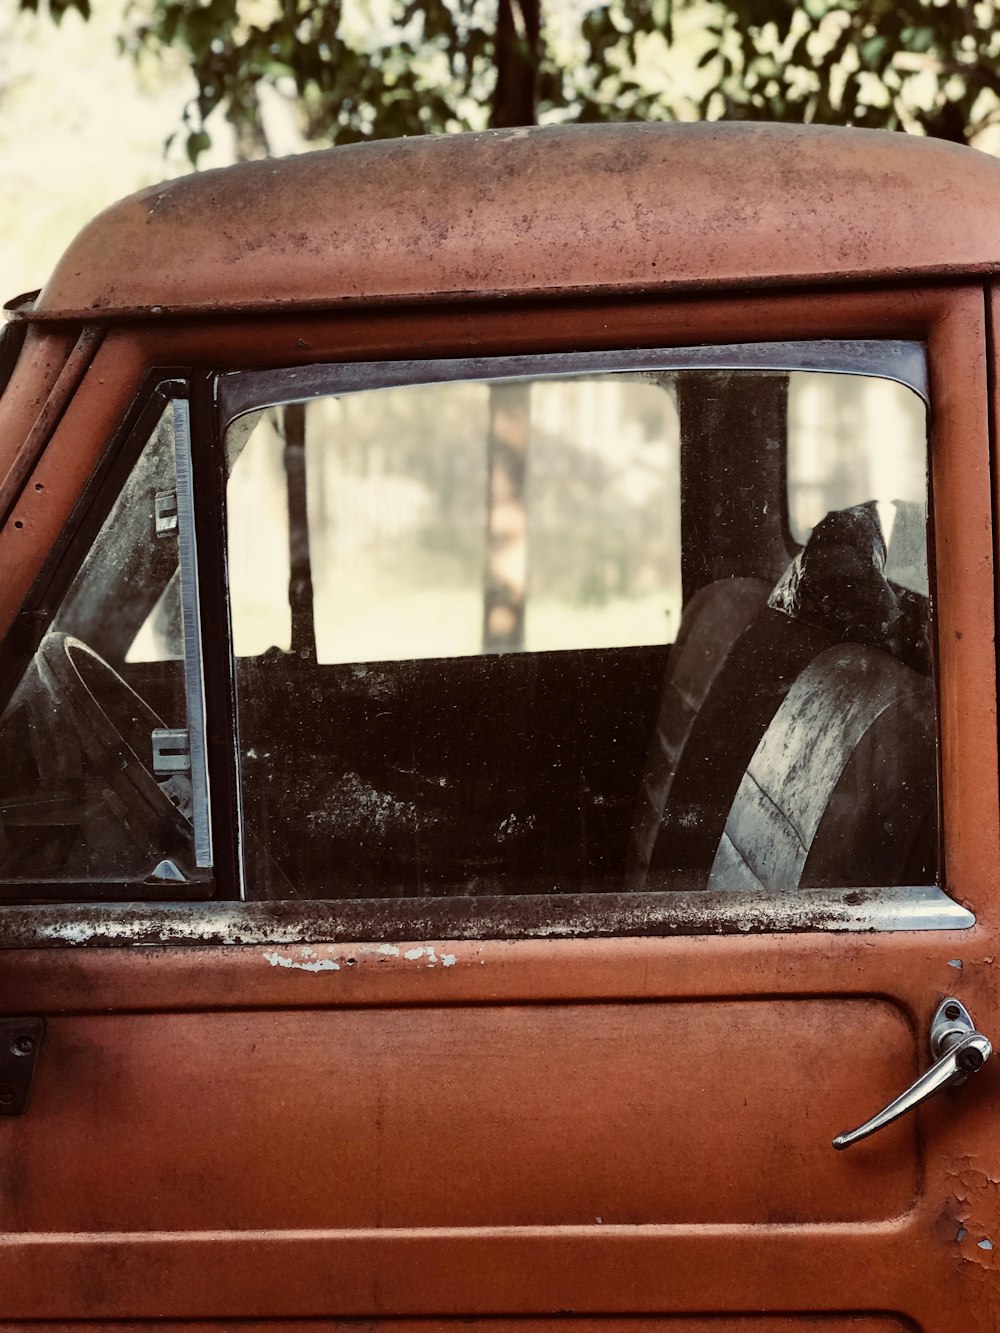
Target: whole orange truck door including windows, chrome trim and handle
x: 479, y: 828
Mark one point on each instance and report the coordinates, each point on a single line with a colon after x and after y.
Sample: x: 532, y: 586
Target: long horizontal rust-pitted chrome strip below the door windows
x: 519, y: 918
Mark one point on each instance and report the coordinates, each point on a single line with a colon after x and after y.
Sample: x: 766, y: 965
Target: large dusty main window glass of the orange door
x: 585, y: 634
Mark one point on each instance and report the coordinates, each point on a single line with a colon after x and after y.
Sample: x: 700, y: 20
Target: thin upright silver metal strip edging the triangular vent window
x: 190, y: 602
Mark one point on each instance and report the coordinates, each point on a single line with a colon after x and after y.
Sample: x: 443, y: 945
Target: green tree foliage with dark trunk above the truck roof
x: 375, y: 69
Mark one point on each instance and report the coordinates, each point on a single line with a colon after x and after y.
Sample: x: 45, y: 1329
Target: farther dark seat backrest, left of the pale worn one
x: 711, y: 625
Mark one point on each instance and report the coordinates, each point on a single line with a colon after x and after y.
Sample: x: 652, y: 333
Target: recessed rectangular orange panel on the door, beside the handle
x: 495, y: 1116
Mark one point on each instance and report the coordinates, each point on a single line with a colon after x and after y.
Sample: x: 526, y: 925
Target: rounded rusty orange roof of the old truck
x: 535, y: 211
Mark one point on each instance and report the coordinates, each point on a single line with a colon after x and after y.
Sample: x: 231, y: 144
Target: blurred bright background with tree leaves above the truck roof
x: 99, y: 98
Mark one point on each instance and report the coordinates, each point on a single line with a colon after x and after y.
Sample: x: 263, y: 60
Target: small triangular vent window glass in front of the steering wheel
x: 95, y: 783
